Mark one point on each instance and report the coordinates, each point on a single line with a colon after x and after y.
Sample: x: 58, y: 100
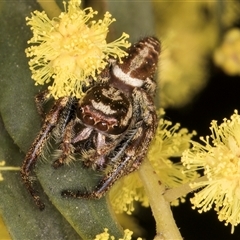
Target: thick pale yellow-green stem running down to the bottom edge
x: 165, y: 223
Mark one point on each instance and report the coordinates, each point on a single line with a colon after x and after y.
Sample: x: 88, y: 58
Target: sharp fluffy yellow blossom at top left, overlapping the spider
x: 70, y: 49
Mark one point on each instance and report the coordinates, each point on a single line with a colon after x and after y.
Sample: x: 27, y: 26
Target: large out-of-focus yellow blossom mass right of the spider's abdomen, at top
x: 189, y: 32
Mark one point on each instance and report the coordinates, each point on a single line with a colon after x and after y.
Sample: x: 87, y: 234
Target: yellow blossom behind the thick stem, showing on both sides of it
x: 170, y: 141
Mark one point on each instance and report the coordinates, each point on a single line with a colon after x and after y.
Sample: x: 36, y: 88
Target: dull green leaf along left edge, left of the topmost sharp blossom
x: 17, y: 89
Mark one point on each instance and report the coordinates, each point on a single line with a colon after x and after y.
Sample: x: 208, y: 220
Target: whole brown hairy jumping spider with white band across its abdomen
x: 112, y: 125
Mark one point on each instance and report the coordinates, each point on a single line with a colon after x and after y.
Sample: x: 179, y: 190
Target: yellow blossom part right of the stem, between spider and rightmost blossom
x: 170, y: 142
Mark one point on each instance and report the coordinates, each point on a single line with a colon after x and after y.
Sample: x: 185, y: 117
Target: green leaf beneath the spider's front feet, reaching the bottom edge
x: 88, y: 217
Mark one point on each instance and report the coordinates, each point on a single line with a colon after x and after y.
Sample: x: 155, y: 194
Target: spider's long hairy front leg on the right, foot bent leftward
x: 133, y: 148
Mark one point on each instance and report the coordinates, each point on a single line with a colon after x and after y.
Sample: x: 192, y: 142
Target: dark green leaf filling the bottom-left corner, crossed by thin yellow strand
x: 23, y: 219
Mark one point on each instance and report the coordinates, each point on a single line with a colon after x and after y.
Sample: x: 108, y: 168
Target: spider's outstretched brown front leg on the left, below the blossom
x: 37, y: 146
